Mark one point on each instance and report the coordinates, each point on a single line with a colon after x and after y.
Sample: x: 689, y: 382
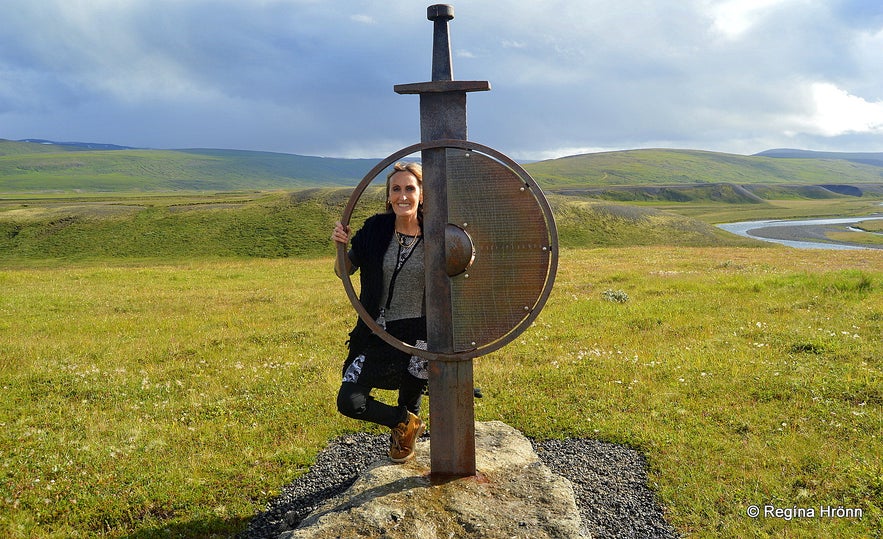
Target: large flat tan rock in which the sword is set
x: 513, y: 495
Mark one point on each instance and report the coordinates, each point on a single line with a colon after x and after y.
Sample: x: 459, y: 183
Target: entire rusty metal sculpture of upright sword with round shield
x: 489, y: 263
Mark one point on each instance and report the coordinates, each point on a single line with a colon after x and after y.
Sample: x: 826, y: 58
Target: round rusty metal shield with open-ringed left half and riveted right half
x: 515, y: 243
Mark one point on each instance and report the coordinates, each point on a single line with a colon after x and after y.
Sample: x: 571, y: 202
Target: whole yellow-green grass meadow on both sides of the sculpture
x: 174, y: 398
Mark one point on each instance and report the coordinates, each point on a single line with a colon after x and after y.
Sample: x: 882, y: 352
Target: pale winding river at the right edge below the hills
x: 799, y: 233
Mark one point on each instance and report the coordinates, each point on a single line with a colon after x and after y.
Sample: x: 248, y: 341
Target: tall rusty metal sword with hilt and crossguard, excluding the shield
x: 443, y: 116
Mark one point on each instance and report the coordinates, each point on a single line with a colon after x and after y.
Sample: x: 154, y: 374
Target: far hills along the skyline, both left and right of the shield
x: 35, y: 167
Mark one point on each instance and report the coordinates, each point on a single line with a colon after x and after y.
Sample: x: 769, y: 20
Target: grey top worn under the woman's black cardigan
x: 407, y: 298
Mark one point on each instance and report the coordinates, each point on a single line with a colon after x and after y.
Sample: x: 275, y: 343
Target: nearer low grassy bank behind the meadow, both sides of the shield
x: 279, y: 224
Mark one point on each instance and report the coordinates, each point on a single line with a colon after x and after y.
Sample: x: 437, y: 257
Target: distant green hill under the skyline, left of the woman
x: 41, y: 168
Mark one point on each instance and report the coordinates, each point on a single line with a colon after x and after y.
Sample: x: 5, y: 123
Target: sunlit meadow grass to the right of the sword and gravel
x: 748, y: 377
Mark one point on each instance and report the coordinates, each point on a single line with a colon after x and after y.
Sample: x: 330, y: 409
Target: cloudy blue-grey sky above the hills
x: 315, y: 77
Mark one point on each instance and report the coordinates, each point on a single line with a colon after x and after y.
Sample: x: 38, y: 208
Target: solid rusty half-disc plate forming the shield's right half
x: 516, y: 248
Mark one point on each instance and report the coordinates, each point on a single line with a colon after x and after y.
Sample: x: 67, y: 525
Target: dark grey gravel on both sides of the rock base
x: 609, y: 480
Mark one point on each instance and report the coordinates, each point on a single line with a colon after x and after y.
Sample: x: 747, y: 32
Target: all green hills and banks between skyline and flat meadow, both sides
x: 72, y: 202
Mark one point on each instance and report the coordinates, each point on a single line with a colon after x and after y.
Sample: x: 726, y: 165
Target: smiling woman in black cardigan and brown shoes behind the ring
x: 388, y: 251
